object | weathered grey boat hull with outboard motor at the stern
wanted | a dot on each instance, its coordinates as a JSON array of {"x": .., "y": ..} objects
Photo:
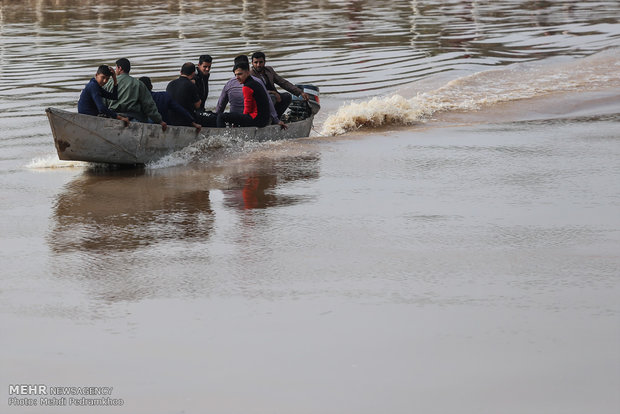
[{"x": 80, "y": 137}]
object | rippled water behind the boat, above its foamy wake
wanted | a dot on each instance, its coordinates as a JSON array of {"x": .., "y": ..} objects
[{"x": 352, "y": 49}]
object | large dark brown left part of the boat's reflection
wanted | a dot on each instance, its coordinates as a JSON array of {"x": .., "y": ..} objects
[{"x": 129, "y": 209}]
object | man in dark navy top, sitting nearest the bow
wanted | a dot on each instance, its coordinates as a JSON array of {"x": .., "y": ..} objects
[{"x": 91, "y": 98}]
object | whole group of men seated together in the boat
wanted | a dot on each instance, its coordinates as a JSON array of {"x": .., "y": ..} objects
[{"x": 251, "y": 95}]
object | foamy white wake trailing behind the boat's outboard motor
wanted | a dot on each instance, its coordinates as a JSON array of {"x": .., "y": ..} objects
[{"x": 483, "y": 89}]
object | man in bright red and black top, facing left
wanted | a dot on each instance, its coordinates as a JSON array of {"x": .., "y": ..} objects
[{"x": 255, "y": 102}]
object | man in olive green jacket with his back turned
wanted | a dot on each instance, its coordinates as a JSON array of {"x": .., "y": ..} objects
[{"x": 134, "y": 99}]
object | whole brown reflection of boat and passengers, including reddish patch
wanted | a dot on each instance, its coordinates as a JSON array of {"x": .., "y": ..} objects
[{"x": 114, "y": 211}]
